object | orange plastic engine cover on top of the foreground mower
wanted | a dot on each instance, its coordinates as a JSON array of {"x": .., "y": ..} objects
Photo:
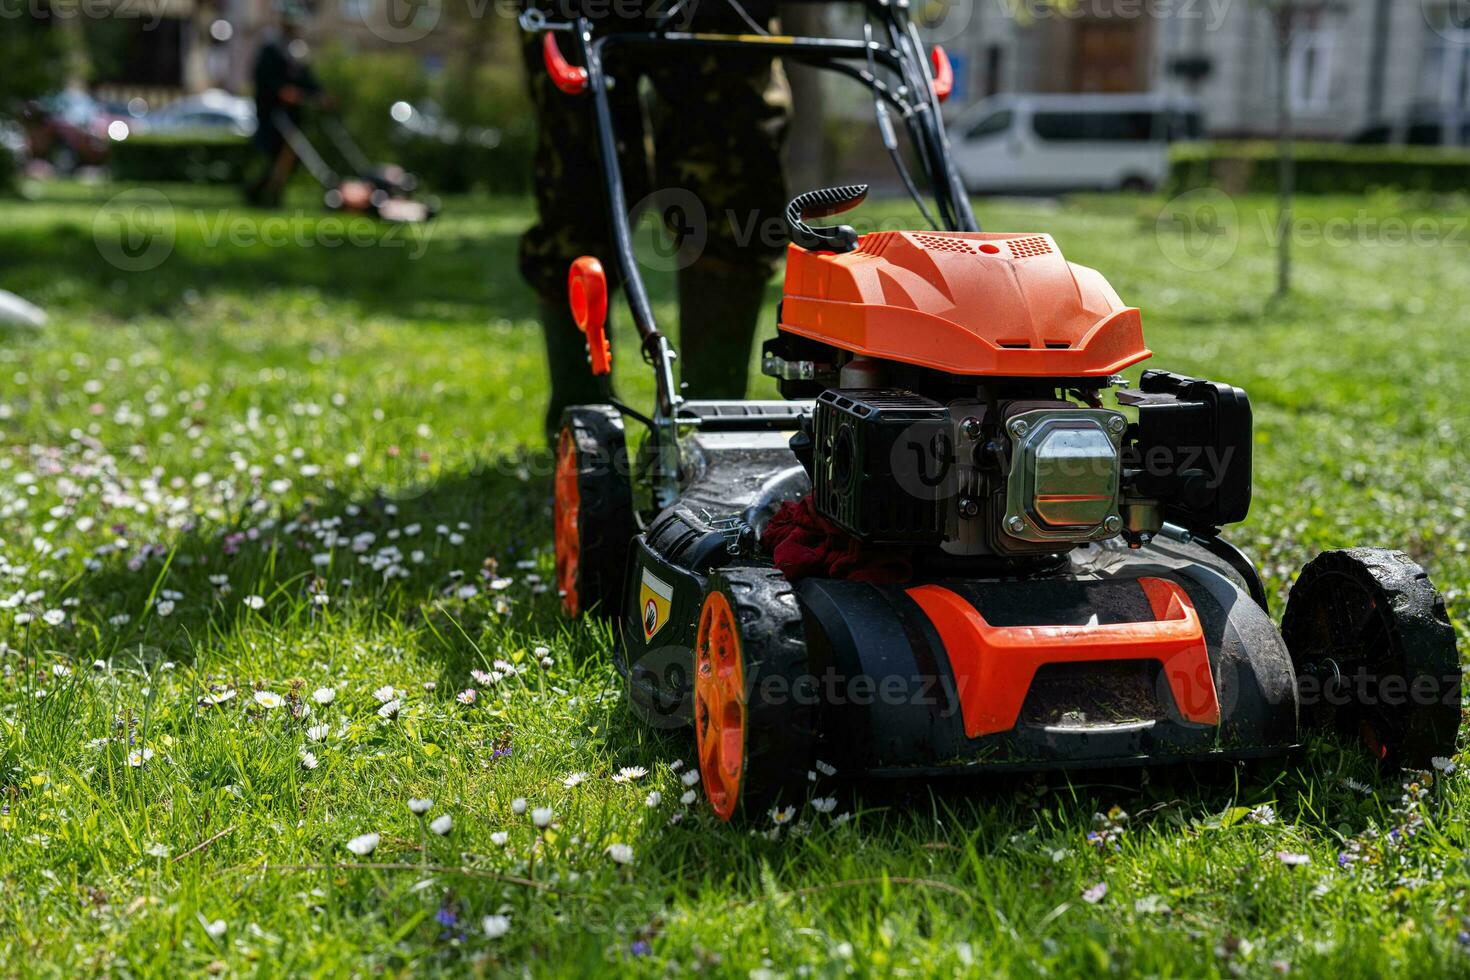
[{"x": 964, "y": 303}]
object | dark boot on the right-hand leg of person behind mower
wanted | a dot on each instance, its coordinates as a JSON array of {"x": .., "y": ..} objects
[{"x": 718, "y": 318}]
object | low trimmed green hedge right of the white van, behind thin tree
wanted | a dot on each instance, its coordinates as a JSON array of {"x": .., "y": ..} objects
[{"x": 1322, "y": 168}]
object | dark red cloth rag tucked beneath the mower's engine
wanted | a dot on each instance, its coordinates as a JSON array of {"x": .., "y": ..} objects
[{"x": 803, "y": 544}]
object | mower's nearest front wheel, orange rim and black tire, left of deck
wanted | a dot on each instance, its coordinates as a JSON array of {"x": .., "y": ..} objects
[{"x": 755, "y": 697}]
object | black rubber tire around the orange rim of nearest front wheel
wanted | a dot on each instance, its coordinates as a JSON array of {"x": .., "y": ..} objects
[{"x": 781, "y": 691}]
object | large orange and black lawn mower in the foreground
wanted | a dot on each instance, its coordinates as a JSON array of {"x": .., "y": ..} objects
[{"x": 962, "y": 541}]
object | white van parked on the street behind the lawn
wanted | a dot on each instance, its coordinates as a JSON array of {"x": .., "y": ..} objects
[{"x": 1046, "y": 145}]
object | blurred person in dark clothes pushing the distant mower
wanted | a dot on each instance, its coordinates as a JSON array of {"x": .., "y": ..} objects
[{"x": 284, "y": 83}]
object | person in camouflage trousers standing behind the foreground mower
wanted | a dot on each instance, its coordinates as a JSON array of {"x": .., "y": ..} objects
[{"x": 715, "y": 129}]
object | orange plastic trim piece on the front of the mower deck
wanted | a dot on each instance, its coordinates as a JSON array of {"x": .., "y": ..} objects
[{"x": 996, "y": 666}]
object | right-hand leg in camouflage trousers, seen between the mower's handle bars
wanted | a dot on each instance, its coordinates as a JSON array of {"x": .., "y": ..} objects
[{"x": 720, "y": 127}]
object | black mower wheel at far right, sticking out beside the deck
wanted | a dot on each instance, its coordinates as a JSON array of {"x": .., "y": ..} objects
[{"x": 1366, "y": 613}]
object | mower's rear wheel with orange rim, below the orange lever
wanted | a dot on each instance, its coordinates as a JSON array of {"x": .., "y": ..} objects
[{"x": 595, "y": 512}]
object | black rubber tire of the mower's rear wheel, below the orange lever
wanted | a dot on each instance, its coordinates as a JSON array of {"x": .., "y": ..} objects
[{"x": 606, "y": 524}]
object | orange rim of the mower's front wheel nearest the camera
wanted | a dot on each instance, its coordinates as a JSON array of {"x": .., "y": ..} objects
[{"x": 720, "y": 705}]
